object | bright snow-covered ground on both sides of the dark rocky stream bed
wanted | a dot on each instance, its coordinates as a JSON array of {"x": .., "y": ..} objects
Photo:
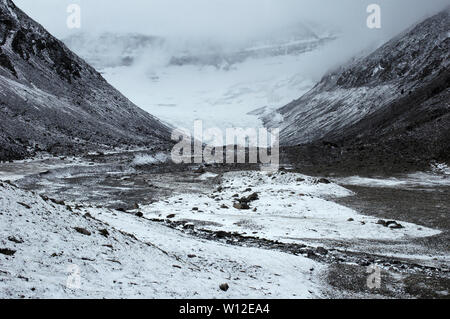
[{"x": 48, "y": 249}]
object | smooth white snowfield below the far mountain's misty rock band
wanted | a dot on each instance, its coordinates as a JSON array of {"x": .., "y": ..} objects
[{"x": 220, "y": 97}]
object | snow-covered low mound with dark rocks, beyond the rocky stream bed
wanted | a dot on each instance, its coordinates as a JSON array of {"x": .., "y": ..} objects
[{"x": 290, "y": 208}]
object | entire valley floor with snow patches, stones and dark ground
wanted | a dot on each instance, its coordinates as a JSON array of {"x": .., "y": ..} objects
[{"x": 109, "y": 225}]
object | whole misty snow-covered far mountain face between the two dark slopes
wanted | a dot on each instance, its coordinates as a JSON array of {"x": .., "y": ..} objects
[{"x": 180, "y": 80}]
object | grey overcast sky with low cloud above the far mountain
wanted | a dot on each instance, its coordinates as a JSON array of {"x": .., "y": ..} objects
[{"x": 224, "y": 18}]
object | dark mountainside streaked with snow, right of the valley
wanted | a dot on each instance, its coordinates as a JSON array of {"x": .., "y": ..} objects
[{"x": 399, "y": 94}]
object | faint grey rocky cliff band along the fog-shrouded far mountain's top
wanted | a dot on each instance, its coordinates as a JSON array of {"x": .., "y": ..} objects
[{"x": 123, "y": 49}]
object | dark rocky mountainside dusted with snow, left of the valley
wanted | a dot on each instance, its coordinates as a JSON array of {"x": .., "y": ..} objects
[{"x": 52, "y": 100}]
